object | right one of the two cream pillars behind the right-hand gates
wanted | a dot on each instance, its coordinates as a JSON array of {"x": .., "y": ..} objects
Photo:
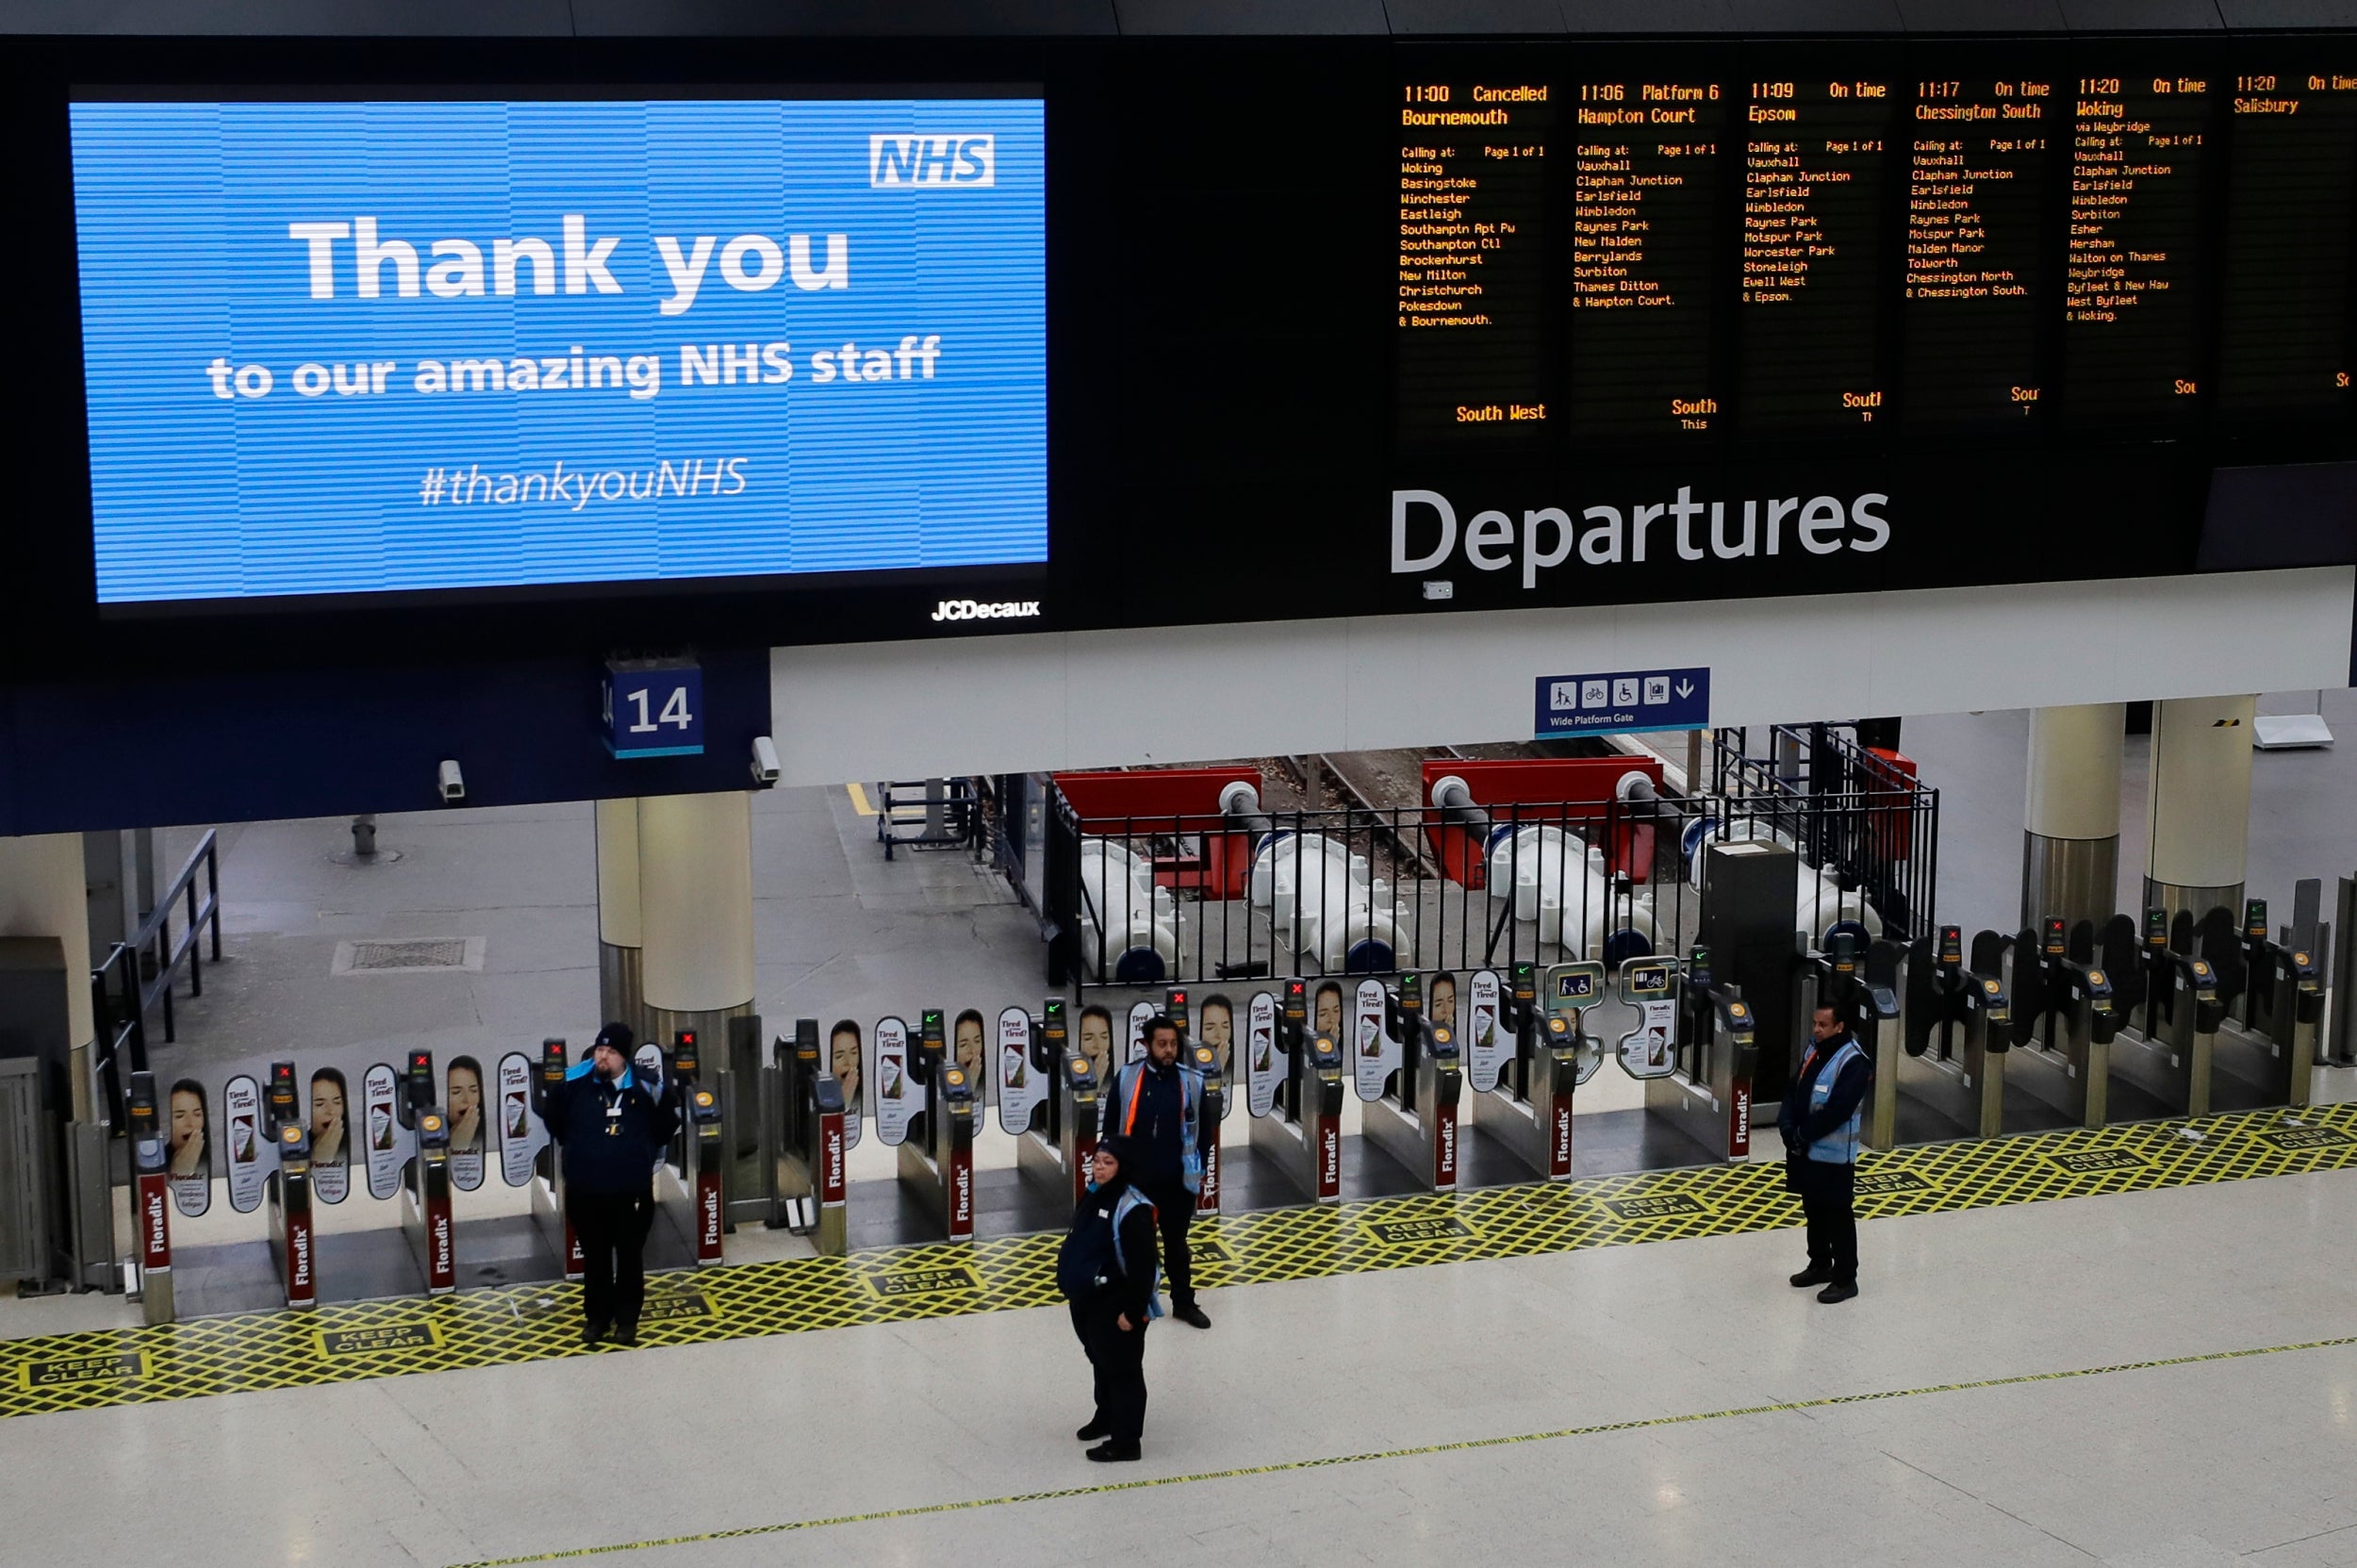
[{"x": 2198, "y": 810}]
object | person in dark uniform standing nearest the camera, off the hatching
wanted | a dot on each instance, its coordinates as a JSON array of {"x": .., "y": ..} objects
[{"x": 1109, "y": 1274}]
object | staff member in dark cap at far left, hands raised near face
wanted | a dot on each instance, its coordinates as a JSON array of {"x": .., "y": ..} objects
[{"x": 612, "y": 1133}]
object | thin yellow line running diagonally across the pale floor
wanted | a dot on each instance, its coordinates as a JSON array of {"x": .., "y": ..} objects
[{"x": 1399, "y": 1454}]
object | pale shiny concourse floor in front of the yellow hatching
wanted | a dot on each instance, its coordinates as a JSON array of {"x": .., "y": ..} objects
[{"x": 2158, "y": 1468}]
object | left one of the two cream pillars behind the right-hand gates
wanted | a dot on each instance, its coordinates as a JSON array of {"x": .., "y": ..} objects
[{"x": 2071, "y": 819}]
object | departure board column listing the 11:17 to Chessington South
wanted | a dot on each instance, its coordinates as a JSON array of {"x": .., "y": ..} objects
[{"x": 1976, "y": 251}]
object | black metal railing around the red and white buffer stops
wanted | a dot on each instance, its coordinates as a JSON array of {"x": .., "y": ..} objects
[{"x": 1196, "y": 900}]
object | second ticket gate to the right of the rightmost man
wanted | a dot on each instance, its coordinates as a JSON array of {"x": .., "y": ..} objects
[{"x": 2066, "y": 1020}]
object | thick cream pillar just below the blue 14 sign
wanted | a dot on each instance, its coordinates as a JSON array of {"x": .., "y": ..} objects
[{"x": 696, "y": 914}]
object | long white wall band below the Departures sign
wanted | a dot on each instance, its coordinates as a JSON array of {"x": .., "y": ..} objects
[{"x": 1187, "y": 694}]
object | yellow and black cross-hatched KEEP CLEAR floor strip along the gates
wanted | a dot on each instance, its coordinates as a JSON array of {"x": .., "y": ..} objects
[{"x": 284, "y": 1350}]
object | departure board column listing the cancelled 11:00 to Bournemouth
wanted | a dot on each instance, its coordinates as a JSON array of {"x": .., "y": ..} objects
[{"x": 1472, "y": 275}]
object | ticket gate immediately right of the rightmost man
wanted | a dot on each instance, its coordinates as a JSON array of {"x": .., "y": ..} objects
[{"x": 1950, "y": 1048}]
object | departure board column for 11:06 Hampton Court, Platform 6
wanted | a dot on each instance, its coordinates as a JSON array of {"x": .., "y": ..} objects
[{"x": 1646, "y": 187}]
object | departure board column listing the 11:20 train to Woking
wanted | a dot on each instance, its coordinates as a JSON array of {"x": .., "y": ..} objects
[{"x": 2132, "y": 312}]
